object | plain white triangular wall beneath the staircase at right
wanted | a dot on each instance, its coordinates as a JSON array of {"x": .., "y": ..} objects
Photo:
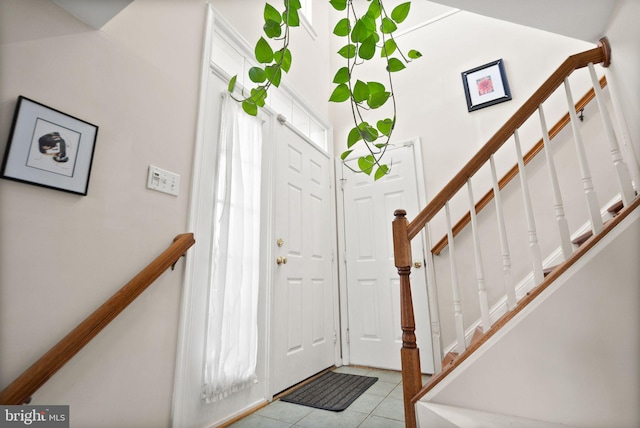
[{"x": 578, "y": 362}]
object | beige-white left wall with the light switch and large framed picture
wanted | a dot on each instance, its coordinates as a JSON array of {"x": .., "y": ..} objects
[{"x": 62, "y": 255}]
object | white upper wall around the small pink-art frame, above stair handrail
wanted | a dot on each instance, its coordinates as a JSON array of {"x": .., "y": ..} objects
[{"x": 430, "y": 94}]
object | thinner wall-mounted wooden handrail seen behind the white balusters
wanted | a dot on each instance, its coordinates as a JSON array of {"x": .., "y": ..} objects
[{"x": 513, "y": 172}]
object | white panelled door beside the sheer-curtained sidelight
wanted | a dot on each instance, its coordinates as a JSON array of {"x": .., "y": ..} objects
[{"x": 303, "y": 335}]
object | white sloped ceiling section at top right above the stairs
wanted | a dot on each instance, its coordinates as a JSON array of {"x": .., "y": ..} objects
[{"x": 581, "y": 19}]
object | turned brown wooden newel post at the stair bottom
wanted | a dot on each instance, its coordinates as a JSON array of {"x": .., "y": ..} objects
[{"x": 409, "y": 354}]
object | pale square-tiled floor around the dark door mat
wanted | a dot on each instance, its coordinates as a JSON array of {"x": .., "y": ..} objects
[{"x": 379, "y": 406}]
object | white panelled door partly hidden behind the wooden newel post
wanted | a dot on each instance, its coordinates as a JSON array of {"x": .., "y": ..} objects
[{"x": 373, "y": 284}]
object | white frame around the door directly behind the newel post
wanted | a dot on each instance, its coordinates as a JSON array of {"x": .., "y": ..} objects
[{"x": 414, "y": 143}]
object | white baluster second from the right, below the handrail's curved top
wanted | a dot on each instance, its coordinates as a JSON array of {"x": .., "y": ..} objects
[{"x": 624, "y": 179}]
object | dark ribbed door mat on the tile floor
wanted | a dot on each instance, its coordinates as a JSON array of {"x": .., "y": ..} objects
[{"x": 331, "y": 391}]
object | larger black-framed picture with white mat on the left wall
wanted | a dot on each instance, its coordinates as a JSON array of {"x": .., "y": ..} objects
[{"x": 49, "y": 148}]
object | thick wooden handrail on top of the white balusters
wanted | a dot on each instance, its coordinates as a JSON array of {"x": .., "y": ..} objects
[{"x": 600, "y": 54}]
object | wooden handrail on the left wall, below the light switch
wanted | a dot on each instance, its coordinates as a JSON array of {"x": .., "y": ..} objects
[{"x": 21, "y": 389}]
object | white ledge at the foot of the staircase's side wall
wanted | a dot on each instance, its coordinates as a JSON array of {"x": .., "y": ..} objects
[{"x": 443, "y": 416}]
